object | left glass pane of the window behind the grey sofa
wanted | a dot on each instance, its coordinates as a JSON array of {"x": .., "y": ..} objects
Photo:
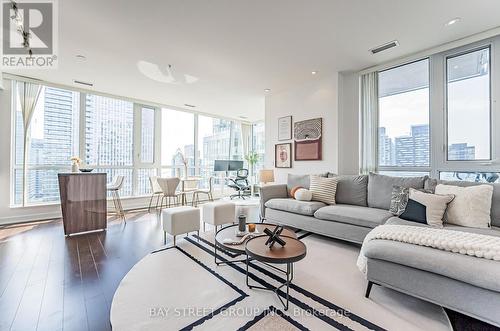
[{"x": 403, "y": 134}]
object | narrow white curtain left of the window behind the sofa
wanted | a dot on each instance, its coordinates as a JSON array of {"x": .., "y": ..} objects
[{"x": 369, "y": 122}]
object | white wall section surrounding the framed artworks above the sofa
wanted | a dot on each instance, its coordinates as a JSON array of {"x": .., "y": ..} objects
[{"x": 317, "y": 98}]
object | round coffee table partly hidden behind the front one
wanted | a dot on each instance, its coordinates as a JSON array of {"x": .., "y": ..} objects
[{"x": 229, "y": 232}]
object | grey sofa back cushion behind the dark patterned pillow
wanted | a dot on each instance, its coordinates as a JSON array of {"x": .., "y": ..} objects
[{"x": 380, "y": 188}]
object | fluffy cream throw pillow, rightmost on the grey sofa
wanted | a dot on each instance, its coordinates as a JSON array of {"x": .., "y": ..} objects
[{"x": 471, "y": 206}]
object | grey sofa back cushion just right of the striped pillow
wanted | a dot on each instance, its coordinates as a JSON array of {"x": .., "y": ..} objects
[{"x": 352, "y": 190}]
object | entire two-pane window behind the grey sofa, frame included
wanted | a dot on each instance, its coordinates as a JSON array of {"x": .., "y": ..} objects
[{"x": 438, "y": 115}]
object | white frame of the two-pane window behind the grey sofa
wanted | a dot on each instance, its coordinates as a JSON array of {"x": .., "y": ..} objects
[{"x": 438, "y": 113}]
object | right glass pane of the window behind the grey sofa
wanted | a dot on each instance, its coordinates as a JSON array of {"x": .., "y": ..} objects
[{"x": 468, "y": 100}]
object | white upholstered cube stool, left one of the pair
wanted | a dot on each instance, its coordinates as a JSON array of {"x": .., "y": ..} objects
[{"x": 179, "y": 220}]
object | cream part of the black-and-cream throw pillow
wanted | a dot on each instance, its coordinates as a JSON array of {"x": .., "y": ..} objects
[{"x": 435, "y": 205}]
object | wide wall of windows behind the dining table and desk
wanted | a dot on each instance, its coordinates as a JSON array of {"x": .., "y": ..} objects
[{"x": 118, "y": 137}]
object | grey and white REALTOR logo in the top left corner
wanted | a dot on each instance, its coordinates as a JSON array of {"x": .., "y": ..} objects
[{"x": 29, "y": 34}]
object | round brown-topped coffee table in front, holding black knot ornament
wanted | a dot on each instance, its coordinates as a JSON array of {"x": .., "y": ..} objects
[{"x": 294, "y": 250}]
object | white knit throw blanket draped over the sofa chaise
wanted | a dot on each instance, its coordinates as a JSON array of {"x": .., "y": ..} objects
[{"x": 472, "y": 244}]
